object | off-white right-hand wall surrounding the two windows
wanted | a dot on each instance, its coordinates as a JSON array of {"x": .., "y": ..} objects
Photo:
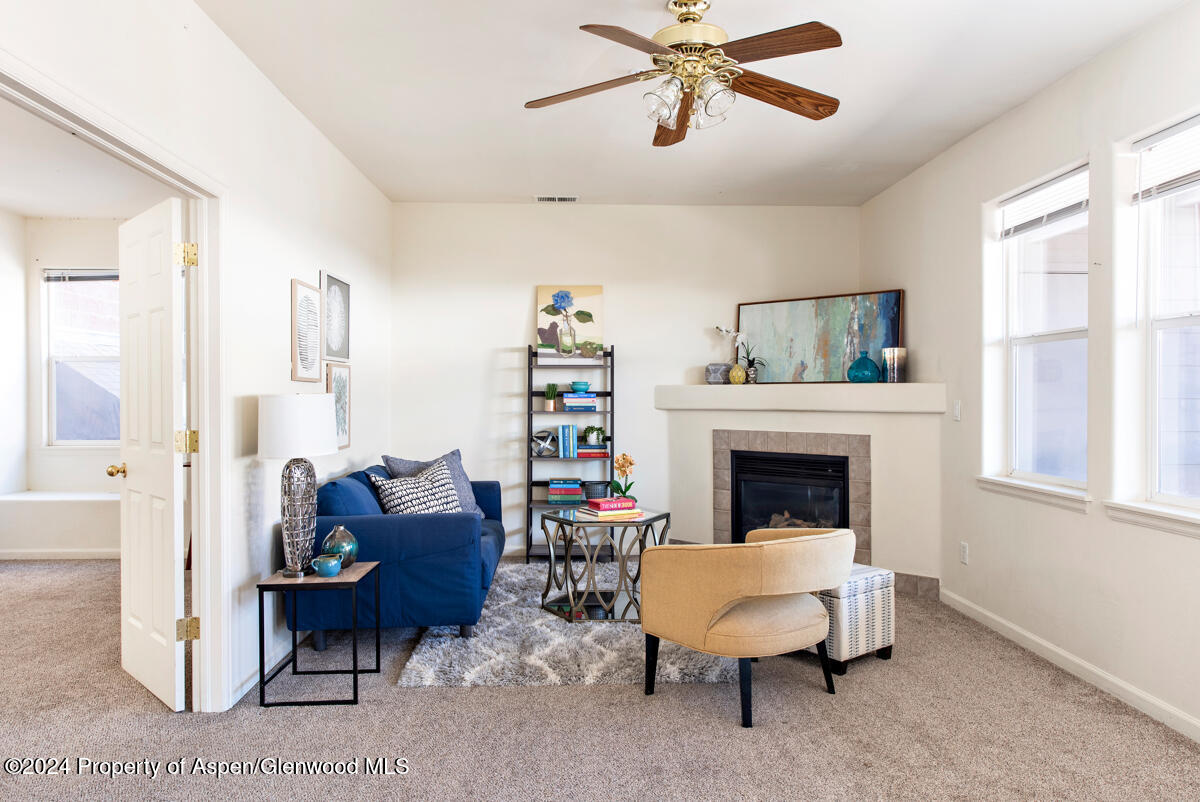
[{"x": 1113, "y": 602}]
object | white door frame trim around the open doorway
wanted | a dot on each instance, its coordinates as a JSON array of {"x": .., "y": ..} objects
[{"x": 212, "y": 585}]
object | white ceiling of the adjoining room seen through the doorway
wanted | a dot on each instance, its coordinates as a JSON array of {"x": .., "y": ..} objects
[{"x": 46, "y": 172}]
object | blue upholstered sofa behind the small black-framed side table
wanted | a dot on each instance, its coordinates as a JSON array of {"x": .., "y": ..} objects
[{"x": 435, "y": 570}]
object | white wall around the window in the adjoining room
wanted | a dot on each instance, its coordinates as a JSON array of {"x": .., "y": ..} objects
[{"x": 62, "y": 244}]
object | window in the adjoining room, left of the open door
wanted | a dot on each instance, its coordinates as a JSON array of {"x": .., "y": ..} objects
[{"x": 83, "y": 357}]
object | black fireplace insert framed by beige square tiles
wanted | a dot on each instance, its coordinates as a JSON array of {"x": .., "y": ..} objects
[{"x": 777, "y": 490}]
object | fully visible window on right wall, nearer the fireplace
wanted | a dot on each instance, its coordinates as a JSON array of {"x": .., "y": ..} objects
[{"x": 1045, "y": 246}]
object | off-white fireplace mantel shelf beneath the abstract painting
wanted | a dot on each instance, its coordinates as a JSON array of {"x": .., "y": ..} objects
[{"x": 911, "y": 398}]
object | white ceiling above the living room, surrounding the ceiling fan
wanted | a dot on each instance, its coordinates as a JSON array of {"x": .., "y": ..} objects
[{"x": 427, "y": 98}]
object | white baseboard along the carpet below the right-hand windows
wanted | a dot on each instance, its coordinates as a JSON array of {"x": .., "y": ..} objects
[{"x": 1132, "y": 696}]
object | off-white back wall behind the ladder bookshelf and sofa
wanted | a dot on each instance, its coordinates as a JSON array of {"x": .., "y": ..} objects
[{"x": 465, "y": 313}]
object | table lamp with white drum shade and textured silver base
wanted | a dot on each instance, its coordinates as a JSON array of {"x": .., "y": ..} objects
[{"x": 295, "y": 428}]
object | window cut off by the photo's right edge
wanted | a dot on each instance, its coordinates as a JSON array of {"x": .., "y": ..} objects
[{"x": 1169, "y": 195}]
